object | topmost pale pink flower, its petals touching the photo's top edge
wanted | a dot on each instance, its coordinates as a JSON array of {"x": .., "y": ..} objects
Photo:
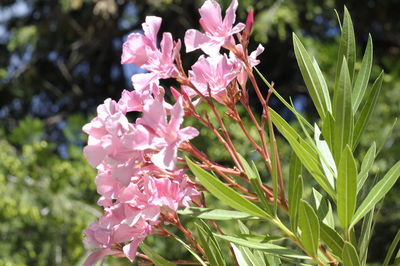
[{"x": 218, "y": 32}]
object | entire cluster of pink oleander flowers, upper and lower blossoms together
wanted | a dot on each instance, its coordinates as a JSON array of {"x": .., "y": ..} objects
[{"x": 138, "y": 178}]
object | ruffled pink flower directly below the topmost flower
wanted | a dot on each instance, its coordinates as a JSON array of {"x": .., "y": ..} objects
[{"x": 214, "y": 74}]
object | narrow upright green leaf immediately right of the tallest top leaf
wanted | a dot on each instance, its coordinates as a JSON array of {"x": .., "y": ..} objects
[{"x": 361, "y": 83}]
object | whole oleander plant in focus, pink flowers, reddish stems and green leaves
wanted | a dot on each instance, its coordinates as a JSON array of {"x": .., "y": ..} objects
[{"x": 252, "y": 209}]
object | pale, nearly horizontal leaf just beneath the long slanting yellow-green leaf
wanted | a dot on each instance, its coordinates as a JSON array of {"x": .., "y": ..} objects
[{"x": 215, "y": 214}]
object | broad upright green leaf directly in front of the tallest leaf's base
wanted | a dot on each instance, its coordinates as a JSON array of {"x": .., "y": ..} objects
[{"x": 343, "y": 113}]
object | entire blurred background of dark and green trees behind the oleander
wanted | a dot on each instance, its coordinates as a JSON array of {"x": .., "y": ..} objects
[{"x": 59, "y": 59}]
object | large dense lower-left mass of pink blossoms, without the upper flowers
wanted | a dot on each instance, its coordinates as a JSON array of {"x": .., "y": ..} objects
[{"x": 137, "y": 176}]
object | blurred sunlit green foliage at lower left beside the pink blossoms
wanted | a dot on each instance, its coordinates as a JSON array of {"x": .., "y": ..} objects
[{"x": 46, "y": 201}]
